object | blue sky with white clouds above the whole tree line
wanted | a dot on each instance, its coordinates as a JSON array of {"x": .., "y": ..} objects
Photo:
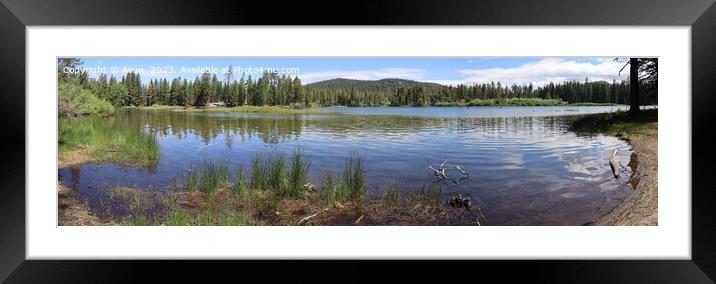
[{"x": 448, "y": 71}]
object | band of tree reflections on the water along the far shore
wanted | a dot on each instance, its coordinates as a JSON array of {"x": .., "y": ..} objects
[{"x": 279, "y": 128}]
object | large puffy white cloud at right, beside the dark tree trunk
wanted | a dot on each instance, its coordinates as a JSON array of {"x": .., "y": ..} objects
[{"x": 544, "y": 71}]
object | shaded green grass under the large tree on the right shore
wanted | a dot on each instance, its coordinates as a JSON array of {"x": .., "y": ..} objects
[{"x": 619, "y": 123}]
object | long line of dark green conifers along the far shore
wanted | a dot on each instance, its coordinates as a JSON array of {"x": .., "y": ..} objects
[{"x": 274, "y": 89}]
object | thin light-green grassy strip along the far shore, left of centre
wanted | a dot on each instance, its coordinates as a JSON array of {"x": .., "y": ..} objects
[{"x": 242, "y": 109}]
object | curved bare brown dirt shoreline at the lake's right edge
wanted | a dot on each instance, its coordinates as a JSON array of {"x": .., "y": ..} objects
[{"x": 641, "y": 208}]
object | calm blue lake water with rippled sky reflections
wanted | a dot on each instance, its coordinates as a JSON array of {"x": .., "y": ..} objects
[{"x": 526, "y": 167}]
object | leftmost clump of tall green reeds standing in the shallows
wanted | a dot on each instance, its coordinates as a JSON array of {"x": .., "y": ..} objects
[{"x": 208, "y": 177}]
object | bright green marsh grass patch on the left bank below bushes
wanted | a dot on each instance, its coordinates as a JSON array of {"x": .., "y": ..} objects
[{"x": 107, "y": 140}]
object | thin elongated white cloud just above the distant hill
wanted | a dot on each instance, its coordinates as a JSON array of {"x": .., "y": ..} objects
[{"x": 377, "y": 74}]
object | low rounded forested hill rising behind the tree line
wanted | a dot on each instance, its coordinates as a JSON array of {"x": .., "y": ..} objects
[{"x": 382, "y": 85}]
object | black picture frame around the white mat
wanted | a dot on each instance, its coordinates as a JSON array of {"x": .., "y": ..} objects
[{"x": 700, "y": 15}]
